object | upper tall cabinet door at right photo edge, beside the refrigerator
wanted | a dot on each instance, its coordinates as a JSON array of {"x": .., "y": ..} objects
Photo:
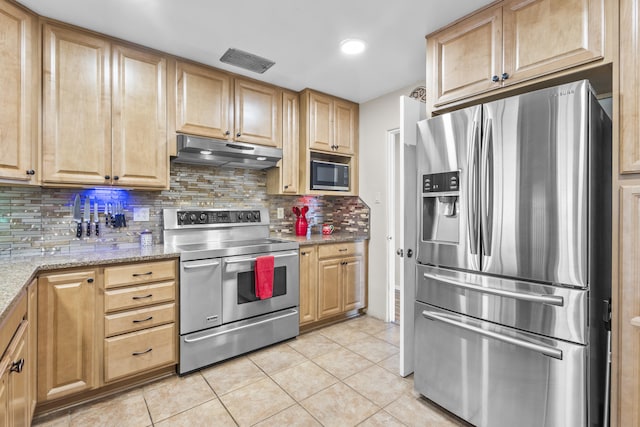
[{"x": 629, "y": 78}]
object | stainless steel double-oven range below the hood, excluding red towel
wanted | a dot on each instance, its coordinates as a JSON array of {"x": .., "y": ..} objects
[{"x": 220, "y": 315}]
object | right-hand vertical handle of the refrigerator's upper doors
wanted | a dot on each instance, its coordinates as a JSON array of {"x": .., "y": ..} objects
[{"x": 486, "y": 189}]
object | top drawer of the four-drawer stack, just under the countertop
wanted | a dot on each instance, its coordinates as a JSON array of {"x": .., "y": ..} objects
[{"x": 139, "y": 273}]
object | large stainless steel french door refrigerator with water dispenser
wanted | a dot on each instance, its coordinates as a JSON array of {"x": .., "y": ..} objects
[{"x": 513, "y": 260}]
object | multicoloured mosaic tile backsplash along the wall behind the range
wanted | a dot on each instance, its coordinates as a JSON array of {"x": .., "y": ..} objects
[{"x": 37, "y": 220}]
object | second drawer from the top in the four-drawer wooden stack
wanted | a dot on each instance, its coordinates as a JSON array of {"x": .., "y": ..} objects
[{"x": 139, "y": 296}]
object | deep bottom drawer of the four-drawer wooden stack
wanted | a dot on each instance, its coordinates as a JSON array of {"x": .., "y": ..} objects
[{"x": 138, "y": 352}]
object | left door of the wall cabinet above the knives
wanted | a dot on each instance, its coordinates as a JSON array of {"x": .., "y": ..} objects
[{"x": 76, "y": 139}]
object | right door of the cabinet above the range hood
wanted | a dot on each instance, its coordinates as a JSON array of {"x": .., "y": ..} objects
[{"x": 258, "y": 114}]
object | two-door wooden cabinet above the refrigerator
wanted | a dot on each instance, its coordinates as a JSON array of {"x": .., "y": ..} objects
[{"x": 515, "y": 41}]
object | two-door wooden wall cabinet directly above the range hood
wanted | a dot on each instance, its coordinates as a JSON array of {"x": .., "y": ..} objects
[{"x": 213, "y": 103}]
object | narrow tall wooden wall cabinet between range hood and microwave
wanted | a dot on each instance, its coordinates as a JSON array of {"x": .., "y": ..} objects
[{"x": 283, "y": 179}]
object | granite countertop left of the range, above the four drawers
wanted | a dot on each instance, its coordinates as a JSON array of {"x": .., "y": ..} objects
[{"x": 18, "y": 271}]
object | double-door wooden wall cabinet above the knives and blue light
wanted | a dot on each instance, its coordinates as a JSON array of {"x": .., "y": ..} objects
[{"x": 104, "y": 117}]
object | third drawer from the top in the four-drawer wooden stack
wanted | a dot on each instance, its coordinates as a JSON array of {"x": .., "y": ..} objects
[{"x": 134, "y": 320}]
